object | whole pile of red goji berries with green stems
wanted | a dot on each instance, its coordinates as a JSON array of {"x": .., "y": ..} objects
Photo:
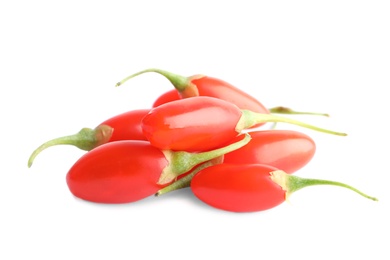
[{"x": 205, "y": 135}]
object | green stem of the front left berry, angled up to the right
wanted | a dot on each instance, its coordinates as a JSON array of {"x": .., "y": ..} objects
[{"x": 182, "y": 162}]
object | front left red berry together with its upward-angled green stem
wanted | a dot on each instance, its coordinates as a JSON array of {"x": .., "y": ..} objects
[{"x": 127, "y": 171}]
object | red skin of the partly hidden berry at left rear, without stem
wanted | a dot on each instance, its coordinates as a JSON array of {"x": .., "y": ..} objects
[{"x": 127, "y": 126}]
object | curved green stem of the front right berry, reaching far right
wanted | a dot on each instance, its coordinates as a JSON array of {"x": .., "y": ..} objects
[{"x": 291, "y": 183}]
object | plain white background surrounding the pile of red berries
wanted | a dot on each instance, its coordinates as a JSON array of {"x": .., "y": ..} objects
[{"x": 59, "y": 65}]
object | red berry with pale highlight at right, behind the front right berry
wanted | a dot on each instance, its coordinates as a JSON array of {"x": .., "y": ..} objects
[{"x": 286, "y": 150}]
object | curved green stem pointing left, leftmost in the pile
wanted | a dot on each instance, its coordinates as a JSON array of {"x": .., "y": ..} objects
[{"x": 86, "y": 139}]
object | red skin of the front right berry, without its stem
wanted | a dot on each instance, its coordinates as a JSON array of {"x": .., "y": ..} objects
[{"x": 238, "y": 187}]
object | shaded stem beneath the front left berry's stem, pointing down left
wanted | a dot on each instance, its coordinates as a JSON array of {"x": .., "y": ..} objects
[{"x": 186, "y": 180}]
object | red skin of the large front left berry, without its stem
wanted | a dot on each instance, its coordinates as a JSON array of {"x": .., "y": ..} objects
[{"x": 117, "y": 172}]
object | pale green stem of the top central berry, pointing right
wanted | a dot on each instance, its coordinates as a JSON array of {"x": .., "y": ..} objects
[{"x": 249, "y": 119}]
